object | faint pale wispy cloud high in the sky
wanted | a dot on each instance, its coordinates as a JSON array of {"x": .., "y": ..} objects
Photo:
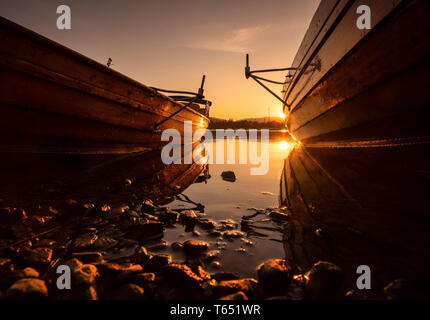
[{"x": 239, "y": 40}]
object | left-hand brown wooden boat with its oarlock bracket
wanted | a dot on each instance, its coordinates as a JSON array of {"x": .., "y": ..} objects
[{"x": 53, "y": 99}]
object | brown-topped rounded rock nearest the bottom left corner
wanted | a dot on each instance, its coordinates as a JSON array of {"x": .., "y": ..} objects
[{"x": 29, "y": 288}]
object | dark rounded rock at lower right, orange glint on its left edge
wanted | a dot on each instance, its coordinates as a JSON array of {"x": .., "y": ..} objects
[{"x": 323, "y": 281}]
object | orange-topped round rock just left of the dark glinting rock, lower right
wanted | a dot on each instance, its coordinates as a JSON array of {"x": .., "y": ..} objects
[{"x": 275, "y": 275}]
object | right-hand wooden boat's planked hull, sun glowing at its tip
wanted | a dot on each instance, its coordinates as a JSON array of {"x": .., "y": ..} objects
[{"x": 362, "y": 85}]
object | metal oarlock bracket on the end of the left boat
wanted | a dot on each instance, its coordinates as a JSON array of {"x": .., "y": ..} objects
[{"x": 188, "y": 97}]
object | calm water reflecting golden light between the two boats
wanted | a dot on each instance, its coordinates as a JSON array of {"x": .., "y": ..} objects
[{"x": 233, "y": 200}]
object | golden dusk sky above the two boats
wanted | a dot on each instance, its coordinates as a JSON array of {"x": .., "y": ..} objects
[{"x": 171, "y": 44}]
